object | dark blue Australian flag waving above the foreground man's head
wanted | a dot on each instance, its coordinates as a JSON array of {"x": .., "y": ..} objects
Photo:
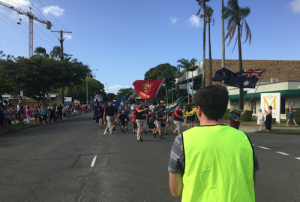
[{"x": 242, "y": 79}]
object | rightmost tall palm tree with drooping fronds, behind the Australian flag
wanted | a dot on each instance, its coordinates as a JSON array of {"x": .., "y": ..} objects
[{"x": 236, "y": 19}]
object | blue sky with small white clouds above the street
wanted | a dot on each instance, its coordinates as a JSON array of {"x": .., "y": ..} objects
[{"x": 124, "y": 39}]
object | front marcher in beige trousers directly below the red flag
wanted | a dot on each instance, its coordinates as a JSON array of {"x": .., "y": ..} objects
[{"x": 140, "y": 111}]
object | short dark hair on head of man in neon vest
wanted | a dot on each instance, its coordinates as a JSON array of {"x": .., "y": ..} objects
[{"x": 213, "y": 101}]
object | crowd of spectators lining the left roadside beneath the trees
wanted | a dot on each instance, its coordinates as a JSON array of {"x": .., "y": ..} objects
[{"x": 39, "y": 113}]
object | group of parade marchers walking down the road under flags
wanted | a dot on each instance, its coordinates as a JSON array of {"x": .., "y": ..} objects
[{"x": 145, "y": 118}]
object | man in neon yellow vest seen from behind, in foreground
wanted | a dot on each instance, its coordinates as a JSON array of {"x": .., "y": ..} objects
[{"x": 212, "y": 162}]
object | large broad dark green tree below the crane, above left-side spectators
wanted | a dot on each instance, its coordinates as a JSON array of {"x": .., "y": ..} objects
[{"x": 38, "y": 75}]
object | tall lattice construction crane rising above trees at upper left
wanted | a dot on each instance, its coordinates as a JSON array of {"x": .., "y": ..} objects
[{"x": 31, "y": 18}]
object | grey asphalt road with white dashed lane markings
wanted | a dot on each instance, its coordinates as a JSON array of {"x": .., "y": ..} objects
[{"x": 74, "y": 161}]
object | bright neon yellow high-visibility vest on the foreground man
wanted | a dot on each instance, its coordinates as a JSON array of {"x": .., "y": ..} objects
[{"x": 219, "y": 165}]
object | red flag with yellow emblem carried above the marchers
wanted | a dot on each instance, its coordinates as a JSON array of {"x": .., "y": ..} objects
[{"x": 147, "y": 89}]
